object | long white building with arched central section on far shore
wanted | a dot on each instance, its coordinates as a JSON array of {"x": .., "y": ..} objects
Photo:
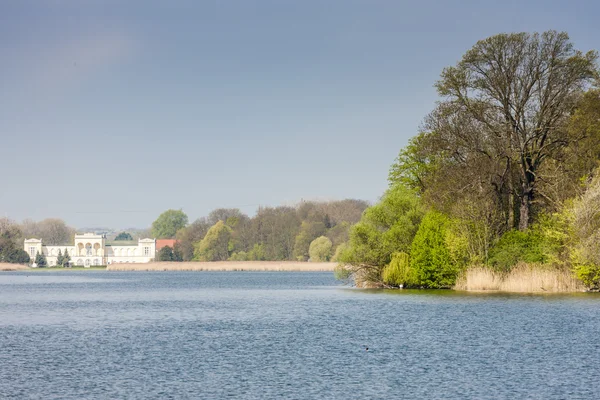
[{"x": 91, "y": 249}]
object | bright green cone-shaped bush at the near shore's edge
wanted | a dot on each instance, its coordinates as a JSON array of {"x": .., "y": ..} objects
[{"x": 430, "y": 257}]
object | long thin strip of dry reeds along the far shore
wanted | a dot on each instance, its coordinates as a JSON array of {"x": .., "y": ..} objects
[{"x": 225, "y": 266}]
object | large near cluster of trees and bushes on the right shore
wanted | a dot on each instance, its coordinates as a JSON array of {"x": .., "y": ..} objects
[{"x": 504, "y": 171}]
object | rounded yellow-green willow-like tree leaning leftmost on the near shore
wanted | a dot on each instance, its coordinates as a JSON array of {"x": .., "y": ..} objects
[{"x": 384, "y": 229}]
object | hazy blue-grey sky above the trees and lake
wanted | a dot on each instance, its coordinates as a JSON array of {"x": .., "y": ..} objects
[{"x": 112, "y": 112}]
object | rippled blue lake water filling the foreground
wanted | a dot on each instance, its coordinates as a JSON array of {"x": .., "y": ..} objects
[{"x": 91, "y": 335}]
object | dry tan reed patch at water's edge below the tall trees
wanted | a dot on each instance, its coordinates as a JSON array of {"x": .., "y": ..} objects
[{"x": 523, "y": 278}]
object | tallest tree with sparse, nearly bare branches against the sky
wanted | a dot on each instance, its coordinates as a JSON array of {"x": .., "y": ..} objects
[{"x": 508, "y": 101}]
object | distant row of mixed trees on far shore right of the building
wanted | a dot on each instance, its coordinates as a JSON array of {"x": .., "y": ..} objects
[{"x": 309, "y": 231}]
